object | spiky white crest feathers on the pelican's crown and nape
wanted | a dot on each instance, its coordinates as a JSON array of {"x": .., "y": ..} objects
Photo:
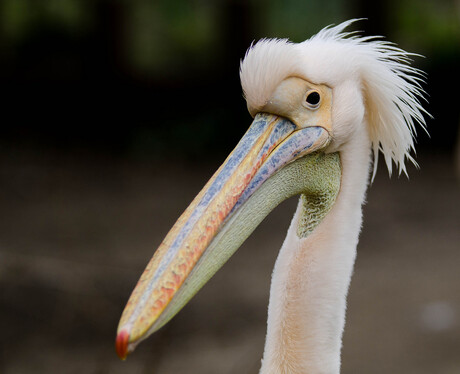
[{"x": 390, "y": 88}]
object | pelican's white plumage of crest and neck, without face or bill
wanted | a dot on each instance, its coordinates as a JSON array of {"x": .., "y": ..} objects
[{"x": 375, "y": 107}]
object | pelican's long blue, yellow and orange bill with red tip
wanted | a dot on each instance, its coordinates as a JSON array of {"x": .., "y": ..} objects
[{"x": 241, "y": 193}]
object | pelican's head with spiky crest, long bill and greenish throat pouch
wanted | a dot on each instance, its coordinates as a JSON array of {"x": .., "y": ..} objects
[{"x": 320, "y": 108}]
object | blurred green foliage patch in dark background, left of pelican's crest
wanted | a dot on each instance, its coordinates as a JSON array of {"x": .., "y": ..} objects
[{"x": 161, "y": 35}]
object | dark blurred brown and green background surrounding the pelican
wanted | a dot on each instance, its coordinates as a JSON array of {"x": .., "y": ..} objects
[{"x": 115, "y": 114}]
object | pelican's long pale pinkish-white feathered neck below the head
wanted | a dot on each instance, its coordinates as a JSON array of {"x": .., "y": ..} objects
[{"x": 311, "y": 278}]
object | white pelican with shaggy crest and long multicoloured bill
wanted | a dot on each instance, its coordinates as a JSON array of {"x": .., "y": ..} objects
[{"x": 323, "y": 111}]
